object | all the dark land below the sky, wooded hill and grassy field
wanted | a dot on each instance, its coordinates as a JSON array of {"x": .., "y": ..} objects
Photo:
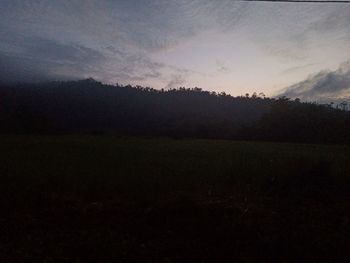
[{"x": 100, "y": 173}]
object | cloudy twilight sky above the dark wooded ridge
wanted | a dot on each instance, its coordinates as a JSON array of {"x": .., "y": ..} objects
[{"x": 295, "y": 49}]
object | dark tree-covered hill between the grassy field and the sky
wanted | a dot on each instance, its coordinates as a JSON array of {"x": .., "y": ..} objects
[{"x": 88, "y": 106}]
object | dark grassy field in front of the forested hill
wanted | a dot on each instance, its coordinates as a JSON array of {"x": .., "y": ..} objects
[{"x": 110, "y": 199}]
